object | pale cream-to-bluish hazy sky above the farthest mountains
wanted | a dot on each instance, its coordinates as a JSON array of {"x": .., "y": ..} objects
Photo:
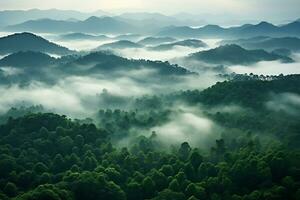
[{"x": 250, "y": 9}]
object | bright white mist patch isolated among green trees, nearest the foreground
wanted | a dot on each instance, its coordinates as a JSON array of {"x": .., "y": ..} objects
[{"x": 190, "y": 125}]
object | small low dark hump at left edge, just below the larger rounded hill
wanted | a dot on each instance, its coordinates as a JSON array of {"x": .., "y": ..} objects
[{"x": 27, "y": 59}]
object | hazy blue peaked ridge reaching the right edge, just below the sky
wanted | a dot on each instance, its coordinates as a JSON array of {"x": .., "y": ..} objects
[{"x": 244, "y": 31}]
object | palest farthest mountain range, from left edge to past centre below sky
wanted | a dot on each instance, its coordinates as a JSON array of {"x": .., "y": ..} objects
[{"x": 148, "y": 20}]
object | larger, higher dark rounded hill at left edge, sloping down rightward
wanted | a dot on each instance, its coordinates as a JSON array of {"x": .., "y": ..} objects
[{"x": 29, "y": 42}]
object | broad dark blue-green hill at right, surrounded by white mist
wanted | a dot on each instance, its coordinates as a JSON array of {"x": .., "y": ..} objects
[{"x": 235, "y": 55}]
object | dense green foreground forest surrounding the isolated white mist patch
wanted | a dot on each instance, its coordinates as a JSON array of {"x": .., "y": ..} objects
[{"x": 256, "y": 155}]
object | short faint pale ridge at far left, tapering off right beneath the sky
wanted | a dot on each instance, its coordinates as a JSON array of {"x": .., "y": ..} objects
[{"x": 10, "y": 17}]
